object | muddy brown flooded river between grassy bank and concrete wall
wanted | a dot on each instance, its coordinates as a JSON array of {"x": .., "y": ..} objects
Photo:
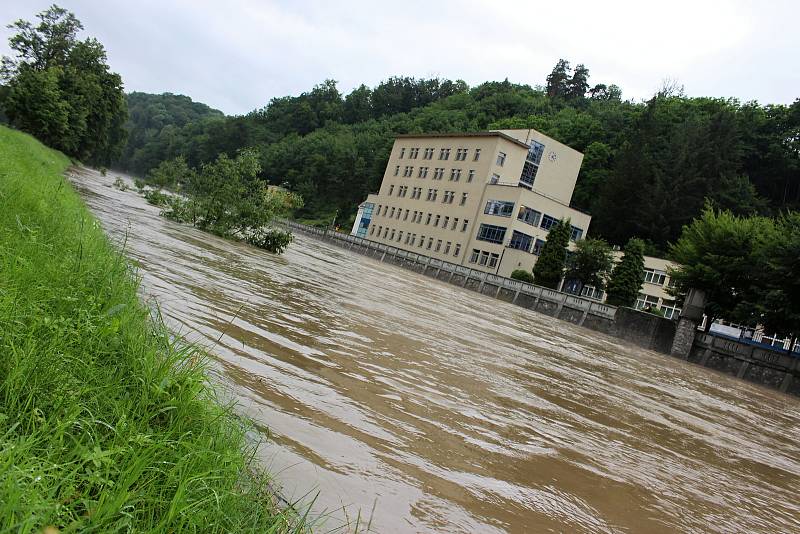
[{"x": 434, "y": 409}]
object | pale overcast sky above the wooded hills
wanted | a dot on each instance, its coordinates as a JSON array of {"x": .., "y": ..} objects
[{"x": 237, "y": 54}]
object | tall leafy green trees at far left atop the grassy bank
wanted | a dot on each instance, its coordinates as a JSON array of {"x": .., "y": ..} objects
[{"x": 61, "y": 89}]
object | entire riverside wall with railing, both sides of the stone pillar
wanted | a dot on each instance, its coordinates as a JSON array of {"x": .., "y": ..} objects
[{"x": 756, "y": 364}]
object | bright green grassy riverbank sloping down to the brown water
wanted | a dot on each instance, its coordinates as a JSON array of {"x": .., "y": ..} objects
[{"x": 105, "y": 424}]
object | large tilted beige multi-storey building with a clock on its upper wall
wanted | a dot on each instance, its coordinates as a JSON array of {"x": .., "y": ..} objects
[{"x": 485, "y": 200}]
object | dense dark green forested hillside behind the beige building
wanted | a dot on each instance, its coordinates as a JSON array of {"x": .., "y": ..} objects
[{"x": 649, "y": 166}]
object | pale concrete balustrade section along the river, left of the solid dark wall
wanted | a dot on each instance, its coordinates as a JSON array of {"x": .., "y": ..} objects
[{"x": 555, "y": 303}]
